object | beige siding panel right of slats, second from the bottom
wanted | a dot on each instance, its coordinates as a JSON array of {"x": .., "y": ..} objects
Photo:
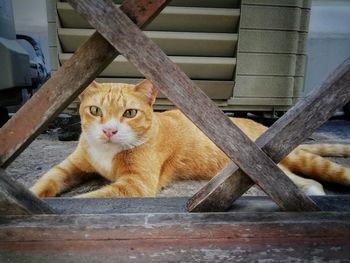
[{"x": 266, "y": 64}]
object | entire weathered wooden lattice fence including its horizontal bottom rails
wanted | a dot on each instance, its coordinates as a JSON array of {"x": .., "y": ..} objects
[{"x": 223, "y": 236}]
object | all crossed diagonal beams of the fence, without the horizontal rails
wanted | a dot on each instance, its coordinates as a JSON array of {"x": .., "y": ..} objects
[{"x": 118, "y": 32}]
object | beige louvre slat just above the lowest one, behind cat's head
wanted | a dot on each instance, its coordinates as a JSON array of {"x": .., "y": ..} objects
[{"x": 208, "y": 68}]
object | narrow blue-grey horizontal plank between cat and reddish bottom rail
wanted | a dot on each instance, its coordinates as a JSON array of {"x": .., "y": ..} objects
[{"x": 178, "y": 205}]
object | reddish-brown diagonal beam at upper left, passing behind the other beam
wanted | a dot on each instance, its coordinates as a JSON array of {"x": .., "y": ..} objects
[{"x": 65, "y": 85}]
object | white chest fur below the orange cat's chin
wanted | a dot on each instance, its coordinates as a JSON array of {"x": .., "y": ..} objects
[{"x": 101, "y": 157}]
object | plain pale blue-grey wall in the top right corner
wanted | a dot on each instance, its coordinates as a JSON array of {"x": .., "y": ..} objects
[{"x": 328, "y": 39}]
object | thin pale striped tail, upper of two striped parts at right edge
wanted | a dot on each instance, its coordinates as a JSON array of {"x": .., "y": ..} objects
[{"x": 327, "y": 149}]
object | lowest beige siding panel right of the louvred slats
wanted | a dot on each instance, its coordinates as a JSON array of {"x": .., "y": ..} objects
[{"x": 263, "y": 87}]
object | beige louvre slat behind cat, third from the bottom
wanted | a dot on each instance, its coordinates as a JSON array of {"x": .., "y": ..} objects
[{"x": 172, "y": 43}]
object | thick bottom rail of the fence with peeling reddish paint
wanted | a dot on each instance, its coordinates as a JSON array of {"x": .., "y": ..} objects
[{"x": 218, "y": 237}]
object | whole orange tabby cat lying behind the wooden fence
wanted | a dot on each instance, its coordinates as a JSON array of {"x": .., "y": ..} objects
[{"x": 140, "y": 151}]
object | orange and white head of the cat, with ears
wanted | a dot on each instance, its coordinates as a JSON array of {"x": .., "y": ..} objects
[{"x": 117, "y": 113}]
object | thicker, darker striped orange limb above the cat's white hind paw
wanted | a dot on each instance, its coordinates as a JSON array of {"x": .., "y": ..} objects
[{"x": 316, "y": 167}]
